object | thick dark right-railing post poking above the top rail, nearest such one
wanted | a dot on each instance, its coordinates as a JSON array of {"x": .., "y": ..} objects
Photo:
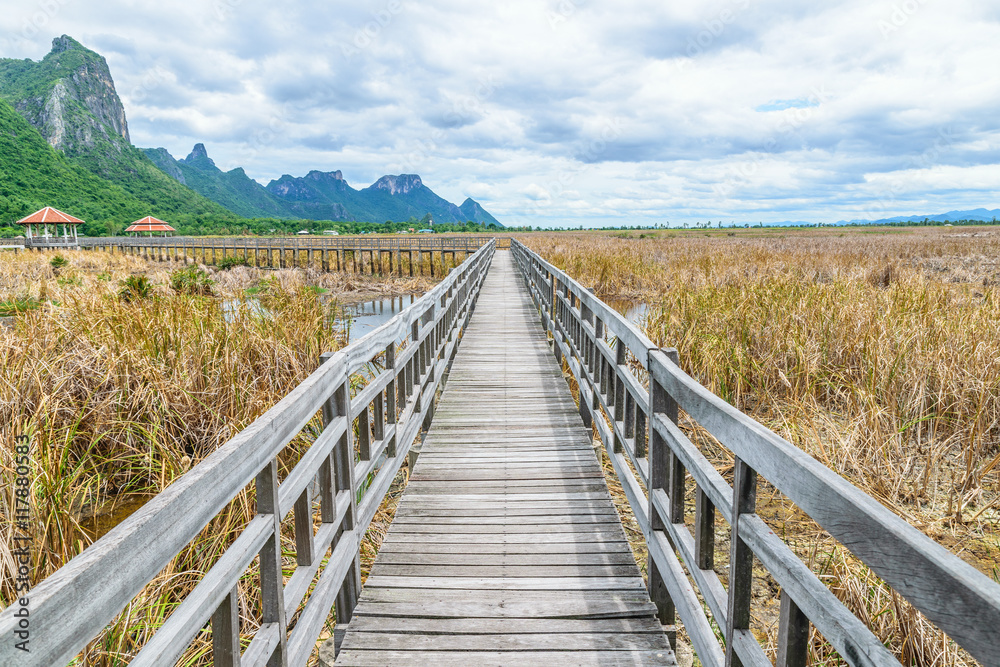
[{"x": 661, "y": 465}]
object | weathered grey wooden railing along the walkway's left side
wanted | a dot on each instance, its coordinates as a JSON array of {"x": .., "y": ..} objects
[{"x": 360, "y": 442}]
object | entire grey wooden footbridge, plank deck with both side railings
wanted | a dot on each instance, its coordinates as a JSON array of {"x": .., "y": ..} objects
[{"x": 505, "y": 548}]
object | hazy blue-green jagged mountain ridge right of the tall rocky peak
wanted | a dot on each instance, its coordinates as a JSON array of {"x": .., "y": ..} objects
[{"x": 317, "y": 195}]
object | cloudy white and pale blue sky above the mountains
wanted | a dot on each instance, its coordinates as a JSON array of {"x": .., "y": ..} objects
[{"x": 577, "y": 112}]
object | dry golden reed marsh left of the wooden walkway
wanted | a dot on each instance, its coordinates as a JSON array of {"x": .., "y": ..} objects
[{"x": 125, "y": 373}]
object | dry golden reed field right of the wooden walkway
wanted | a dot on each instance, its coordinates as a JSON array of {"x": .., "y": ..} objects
[{"x": 876, "y": 351}]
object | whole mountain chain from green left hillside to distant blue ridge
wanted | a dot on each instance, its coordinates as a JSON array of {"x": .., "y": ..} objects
[{"x": 65, "y": 113}]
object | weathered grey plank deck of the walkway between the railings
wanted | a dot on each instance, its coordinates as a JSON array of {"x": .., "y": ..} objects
[{"x": 506, "y": 548}]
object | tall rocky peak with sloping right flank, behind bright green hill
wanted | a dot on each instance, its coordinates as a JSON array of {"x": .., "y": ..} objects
[{"x": 69, "y": 97}]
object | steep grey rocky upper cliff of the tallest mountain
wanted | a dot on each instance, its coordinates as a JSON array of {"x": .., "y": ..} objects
[{"x": 69, "y": 97}]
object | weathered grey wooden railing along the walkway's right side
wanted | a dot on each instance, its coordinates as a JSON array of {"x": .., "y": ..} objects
[{"x": 613, "y": 363}]
